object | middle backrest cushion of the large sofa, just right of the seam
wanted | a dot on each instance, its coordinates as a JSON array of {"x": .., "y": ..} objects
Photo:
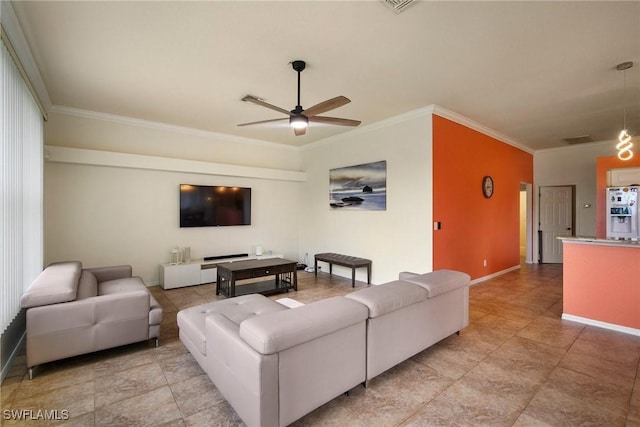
[{"x": 392, "y": 296}]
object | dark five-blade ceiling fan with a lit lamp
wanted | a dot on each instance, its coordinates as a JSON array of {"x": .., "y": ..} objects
[{"x": 299, "y": 118}]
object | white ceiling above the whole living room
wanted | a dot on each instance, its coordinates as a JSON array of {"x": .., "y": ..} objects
[{"x": 536, "y": 72}]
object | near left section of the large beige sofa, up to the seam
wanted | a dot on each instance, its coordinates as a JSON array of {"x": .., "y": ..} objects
[{"x": 274, "y": 364}]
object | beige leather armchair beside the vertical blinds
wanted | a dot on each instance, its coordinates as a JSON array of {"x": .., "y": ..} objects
[{"x": 72, "y": 311}]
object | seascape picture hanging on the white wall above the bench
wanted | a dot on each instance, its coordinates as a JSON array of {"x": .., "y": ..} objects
[{"x": 360, "y": 187}]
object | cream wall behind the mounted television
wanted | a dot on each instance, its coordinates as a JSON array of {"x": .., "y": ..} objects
[{"x": 104, "y": 214}]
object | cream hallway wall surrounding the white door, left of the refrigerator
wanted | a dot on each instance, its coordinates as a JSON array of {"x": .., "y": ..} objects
[{"x": 572, "y": 165}]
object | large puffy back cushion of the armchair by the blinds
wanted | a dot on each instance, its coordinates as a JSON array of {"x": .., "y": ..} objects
[{"x": 57, "y": 283}]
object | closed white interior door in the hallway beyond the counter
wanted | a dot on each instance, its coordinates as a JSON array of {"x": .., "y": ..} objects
[{"x": 556, "y": 219}]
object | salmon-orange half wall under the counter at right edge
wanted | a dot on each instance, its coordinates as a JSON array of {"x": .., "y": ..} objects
[{"x": 601, "y": 283}]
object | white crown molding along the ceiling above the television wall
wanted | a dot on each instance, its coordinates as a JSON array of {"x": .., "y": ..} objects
[{"x": 130, "y": 121}]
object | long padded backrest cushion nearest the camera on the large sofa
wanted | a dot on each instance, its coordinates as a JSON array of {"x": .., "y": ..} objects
[{"x": 274, "y": 332}]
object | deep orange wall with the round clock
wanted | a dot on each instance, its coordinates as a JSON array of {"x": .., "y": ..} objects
[{"x": 475, "y": 228}]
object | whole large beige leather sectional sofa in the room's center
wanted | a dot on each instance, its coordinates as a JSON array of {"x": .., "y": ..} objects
[{"x": 275, "y": 364}]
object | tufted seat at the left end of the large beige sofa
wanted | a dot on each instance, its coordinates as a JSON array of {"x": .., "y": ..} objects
[{"x": 191, "y": 320}]
